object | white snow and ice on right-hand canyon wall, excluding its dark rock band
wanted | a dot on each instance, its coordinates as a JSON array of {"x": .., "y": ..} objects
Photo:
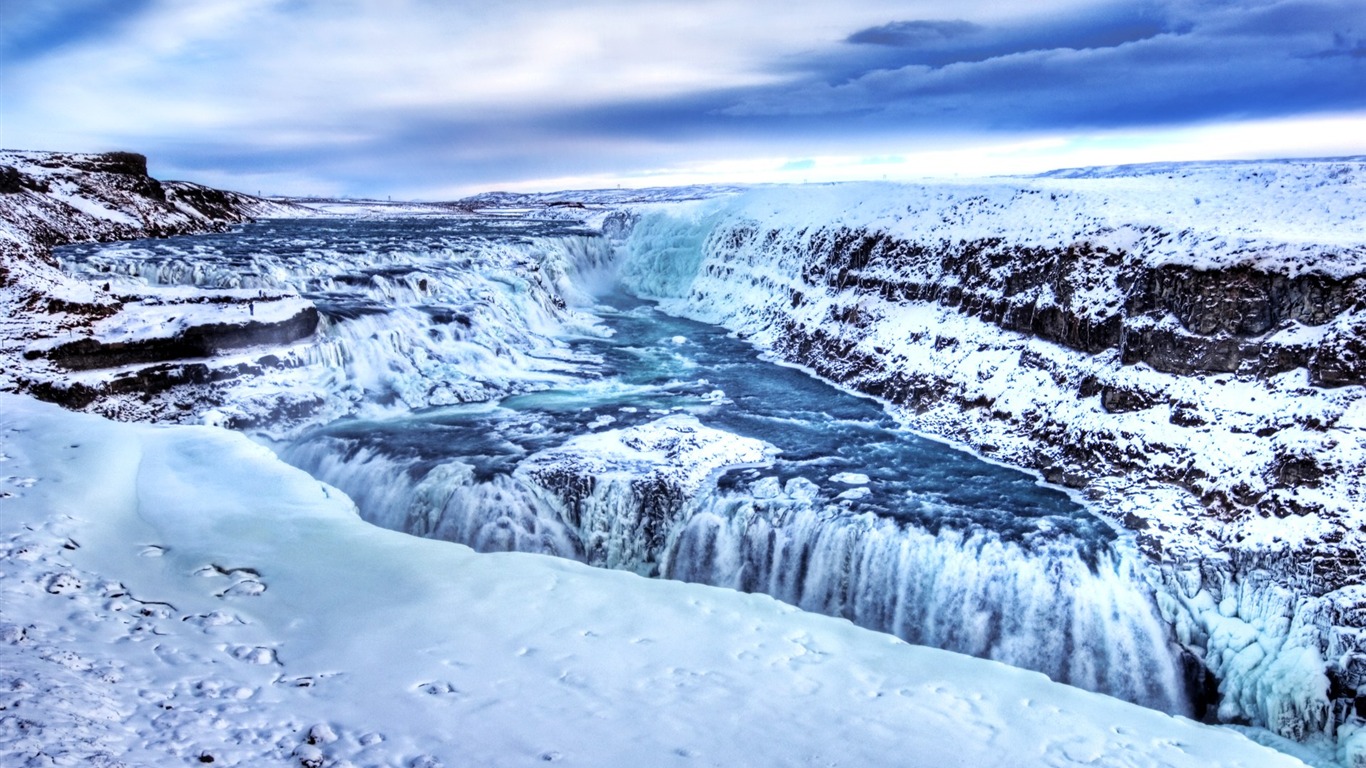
[{"x": 747, "y": 262}]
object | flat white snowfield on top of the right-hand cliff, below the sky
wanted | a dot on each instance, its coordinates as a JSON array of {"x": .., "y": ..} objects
[{"x": 1204, "y": 217}]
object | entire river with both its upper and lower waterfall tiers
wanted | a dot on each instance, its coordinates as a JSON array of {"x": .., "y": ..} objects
[{"x": 439, "y": 314}]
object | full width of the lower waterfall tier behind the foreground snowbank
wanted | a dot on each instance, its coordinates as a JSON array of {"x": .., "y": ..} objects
[{"x": 1047, "y": 605}]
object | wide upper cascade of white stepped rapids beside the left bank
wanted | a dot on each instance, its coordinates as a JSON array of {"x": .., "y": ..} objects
[{"x": 413, "y": 314}]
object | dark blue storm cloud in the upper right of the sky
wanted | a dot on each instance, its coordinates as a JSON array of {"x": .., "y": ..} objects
[{"x": 1126, "y": 66}]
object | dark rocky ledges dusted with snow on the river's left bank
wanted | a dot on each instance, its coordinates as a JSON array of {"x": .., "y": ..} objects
[{"x": 88, "y": 344}]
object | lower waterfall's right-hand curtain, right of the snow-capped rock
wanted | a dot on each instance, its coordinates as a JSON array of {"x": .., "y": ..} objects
[{"x": 1046, "y": 607}]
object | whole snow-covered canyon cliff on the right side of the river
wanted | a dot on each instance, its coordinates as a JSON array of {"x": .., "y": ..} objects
[{"x": 1185, "y": 345}]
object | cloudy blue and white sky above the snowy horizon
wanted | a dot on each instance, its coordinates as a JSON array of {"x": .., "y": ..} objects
[{"x": 435, "y": 100}]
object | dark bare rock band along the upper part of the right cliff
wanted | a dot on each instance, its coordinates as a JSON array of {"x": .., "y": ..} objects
[{"x": 1175, "y": 319}]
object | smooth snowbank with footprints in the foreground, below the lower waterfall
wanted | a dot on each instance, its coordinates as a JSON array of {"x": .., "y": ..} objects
[{"x": 177, "y": 594}]
